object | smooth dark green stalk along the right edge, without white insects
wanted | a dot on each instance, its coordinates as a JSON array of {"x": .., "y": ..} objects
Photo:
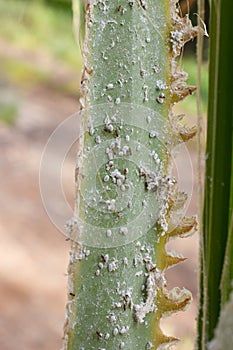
[{"x": 216, "y": 279}]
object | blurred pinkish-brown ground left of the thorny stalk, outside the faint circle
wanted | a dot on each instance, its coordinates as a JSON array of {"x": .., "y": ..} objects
[{"x": 34, "y": 255}]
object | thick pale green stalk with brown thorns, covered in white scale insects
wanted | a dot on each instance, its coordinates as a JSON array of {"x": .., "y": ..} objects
[{"x": 117, "y": 291}]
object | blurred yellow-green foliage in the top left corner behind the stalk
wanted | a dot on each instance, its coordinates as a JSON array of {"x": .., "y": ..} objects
[{"x": 41, "y": 26}]
